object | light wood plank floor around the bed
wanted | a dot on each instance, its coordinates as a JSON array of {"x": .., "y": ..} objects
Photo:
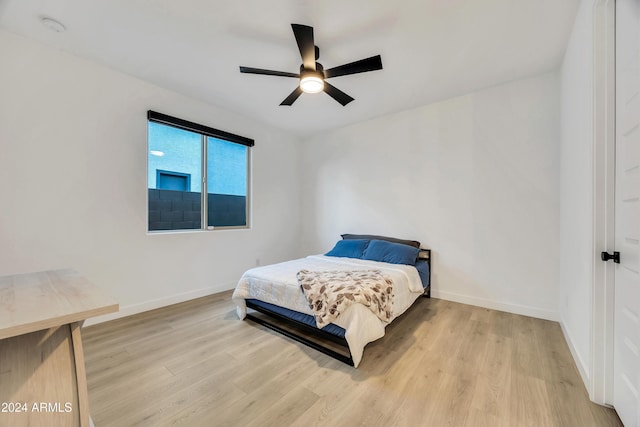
[{"x": 441, "y": 364}]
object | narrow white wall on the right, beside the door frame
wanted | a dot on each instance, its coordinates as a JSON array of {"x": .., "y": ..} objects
[{"x": 576, "y": 189}]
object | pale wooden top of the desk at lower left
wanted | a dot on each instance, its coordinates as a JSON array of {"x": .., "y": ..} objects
[{"x": 35, "y": 301}]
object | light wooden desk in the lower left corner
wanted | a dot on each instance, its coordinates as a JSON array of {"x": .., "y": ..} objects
[{"x": 42, "y": 372}]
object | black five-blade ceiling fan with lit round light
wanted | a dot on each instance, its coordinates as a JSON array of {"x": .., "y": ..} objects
[{"x": 312, "y": 75}]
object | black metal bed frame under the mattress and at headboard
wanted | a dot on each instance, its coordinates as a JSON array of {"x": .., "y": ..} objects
[{"x": 307, "y": 330}]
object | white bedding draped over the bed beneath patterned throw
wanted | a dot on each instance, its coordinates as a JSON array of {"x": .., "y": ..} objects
[{"x": 277, "y": 284}]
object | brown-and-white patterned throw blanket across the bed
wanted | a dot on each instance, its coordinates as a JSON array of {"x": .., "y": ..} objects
[{"x": 330, "y": 292}]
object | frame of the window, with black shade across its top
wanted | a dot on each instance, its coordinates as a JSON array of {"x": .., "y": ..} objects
[{"x": 204, "y": 132}]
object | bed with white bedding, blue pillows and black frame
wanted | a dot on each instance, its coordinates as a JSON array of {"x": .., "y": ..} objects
[{"x": 272, "y": 295}]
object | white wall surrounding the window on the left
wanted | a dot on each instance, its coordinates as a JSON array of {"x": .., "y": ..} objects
[{"x": 73, "y": 153}]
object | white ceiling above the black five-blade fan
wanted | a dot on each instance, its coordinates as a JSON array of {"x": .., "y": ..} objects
[{"x": 431, "y": 49}]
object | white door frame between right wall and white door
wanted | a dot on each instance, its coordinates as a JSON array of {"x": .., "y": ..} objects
[{"x": 600, "y": 382}]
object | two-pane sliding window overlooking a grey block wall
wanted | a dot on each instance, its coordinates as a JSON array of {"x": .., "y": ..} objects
[{"x": 195, "y": 172}]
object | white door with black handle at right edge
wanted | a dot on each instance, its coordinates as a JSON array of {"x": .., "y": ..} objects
[{"x": 627, "y": 283}]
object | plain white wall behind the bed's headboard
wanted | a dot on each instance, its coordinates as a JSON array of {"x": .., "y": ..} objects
[{"x": 475, "y": 178}]
